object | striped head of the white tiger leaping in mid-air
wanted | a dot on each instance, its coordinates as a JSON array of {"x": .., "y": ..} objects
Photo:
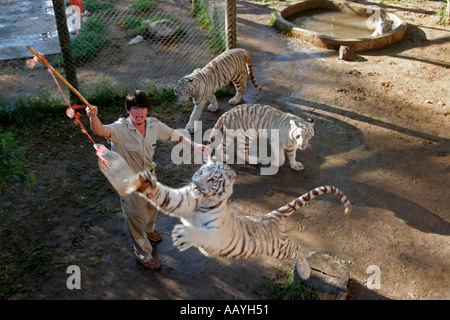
[{"x": 213, "y": 179}]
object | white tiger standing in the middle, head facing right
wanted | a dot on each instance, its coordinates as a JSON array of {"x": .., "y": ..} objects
[{"x": 247, "y": 122}]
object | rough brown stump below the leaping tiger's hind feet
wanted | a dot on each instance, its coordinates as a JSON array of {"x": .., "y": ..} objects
[{"x": 328, "y": 276}]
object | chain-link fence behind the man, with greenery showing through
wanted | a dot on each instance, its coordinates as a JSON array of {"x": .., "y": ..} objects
[{"x": 129, "y": 41}]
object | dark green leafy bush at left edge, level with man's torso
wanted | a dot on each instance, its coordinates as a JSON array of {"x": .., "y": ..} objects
[{"x": 12, "y": 159}]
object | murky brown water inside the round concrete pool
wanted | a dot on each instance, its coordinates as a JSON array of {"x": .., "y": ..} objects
[{"x": 332, "y": 23}]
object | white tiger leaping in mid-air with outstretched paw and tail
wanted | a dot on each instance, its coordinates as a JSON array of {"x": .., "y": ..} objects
[{"x": 207, "y": 224}]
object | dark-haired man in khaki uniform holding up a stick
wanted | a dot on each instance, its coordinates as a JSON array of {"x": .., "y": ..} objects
[{"x": 134, "y": 138}]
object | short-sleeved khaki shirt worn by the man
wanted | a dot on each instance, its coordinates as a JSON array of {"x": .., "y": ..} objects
[{"x": 137, "y": 150}]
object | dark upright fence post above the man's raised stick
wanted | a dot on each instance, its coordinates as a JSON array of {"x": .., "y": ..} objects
[{"x": 66, "y": 46}]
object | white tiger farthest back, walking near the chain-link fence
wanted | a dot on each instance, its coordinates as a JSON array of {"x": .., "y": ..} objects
[{"x": 202, "y": 84}]
